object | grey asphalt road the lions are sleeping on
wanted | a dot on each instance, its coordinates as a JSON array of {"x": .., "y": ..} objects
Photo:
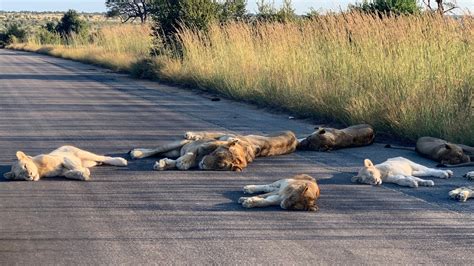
[{"x": 137, "y": 216}]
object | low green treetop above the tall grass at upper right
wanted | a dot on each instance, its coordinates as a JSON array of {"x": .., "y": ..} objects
[{"x": 396, "y": 7}]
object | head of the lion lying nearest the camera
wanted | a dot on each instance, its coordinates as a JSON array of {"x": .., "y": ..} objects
[{"x": 300, "y": 195}]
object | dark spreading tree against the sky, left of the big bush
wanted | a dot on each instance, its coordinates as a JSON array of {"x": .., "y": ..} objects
[{"x": 129, "y": 9}]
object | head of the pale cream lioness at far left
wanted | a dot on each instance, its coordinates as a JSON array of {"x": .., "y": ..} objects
[{"x": 23, "y": 169}]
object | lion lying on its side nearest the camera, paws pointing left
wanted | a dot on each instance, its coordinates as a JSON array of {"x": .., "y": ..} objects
[{"x": 297, "y": 193}]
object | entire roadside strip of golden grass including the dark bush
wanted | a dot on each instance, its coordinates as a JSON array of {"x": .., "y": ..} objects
[{"x": 408, "y": 74}]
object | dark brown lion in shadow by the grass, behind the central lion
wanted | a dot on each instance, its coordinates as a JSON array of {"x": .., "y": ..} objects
[{"x": 325, "y": 139}]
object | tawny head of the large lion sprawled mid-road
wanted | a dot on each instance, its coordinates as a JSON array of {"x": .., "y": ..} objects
[{"x": 229, "y": 157}]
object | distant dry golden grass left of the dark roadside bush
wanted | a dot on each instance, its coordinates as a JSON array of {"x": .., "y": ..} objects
[{"x": 117, "y": 47}]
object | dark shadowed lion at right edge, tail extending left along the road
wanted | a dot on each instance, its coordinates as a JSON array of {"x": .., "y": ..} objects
[{"x": 447, "y": 154}]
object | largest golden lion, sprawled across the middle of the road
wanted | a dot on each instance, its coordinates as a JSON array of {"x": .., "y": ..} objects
[{"x": 218, "y": 150}]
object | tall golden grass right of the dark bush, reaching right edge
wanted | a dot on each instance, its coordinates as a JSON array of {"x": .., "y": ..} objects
[{"x": 412, "y": 76}]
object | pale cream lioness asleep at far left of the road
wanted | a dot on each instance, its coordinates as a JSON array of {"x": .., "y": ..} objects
[{"x": 67, "y": 161}]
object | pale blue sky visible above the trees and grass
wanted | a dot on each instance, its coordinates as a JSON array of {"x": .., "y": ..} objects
[{"x": 301, "y": 6}]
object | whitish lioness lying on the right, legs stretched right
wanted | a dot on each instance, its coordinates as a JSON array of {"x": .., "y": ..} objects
[{"x": 400, "y": 171}]
